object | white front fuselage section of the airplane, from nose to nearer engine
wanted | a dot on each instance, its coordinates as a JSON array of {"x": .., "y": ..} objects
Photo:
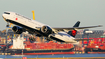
[{"x": 23, "y": 20}]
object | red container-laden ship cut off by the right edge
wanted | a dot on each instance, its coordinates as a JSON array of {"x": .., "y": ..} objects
[{"x": 96, "y": 46}]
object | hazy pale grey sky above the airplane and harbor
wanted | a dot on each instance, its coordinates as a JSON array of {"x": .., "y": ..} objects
[{"x": 58, "y": 13}]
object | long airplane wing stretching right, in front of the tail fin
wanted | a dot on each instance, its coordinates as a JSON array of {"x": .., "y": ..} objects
[{"x": 75, "y": 28}]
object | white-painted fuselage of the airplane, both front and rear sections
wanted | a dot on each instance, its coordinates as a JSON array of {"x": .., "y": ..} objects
[{"x": 22, "y": 21}]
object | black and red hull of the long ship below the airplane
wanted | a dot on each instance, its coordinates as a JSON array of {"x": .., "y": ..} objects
[{"x": 39, "y": 52}]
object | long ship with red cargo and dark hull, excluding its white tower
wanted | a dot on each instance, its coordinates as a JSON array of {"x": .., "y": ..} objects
[{"x": 42, "y": 48}]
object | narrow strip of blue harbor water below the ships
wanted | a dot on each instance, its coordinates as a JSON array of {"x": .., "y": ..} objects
[{"x": 53, "y": 56}]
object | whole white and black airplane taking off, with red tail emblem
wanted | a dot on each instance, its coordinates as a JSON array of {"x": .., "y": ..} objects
[{"x": 23, "y": 23}]
